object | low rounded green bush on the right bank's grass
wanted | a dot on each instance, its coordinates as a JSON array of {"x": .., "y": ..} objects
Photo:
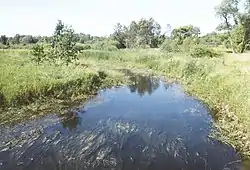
[{"x": 201, "y": 51}]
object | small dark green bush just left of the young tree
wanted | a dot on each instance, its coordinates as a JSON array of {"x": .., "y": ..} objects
[{"x": 38, "y": 54}]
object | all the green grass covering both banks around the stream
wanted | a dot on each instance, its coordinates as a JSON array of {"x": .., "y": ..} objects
[{"x": 222, "y": 83}]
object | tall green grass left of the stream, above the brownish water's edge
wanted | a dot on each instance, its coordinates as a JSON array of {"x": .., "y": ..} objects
[{"x": 23, "y": 82}]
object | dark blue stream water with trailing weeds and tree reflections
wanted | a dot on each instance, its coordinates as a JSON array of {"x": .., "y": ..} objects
[{"x": 125, "y": 130}]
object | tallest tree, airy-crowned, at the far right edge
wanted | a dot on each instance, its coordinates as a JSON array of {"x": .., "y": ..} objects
[{"x": 235, "y": 23}]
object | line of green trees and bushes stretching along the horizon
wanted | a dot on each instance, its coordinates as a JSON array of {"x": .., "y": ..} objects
[{"x": 233, "y": 33}]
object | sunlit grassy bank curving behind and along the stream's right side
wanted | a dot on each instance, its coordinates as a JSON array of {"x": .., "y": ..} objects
[{"x": 222, "y": 83}]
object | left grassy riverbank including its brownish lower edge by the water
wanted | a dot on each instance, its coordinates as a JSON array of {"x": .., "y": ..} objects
[{"x": 28, "y": 90}]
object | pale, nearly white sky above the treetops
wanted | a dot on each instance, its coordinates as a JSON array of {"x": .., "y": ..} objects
[{"x": 98, "y": 17}]
